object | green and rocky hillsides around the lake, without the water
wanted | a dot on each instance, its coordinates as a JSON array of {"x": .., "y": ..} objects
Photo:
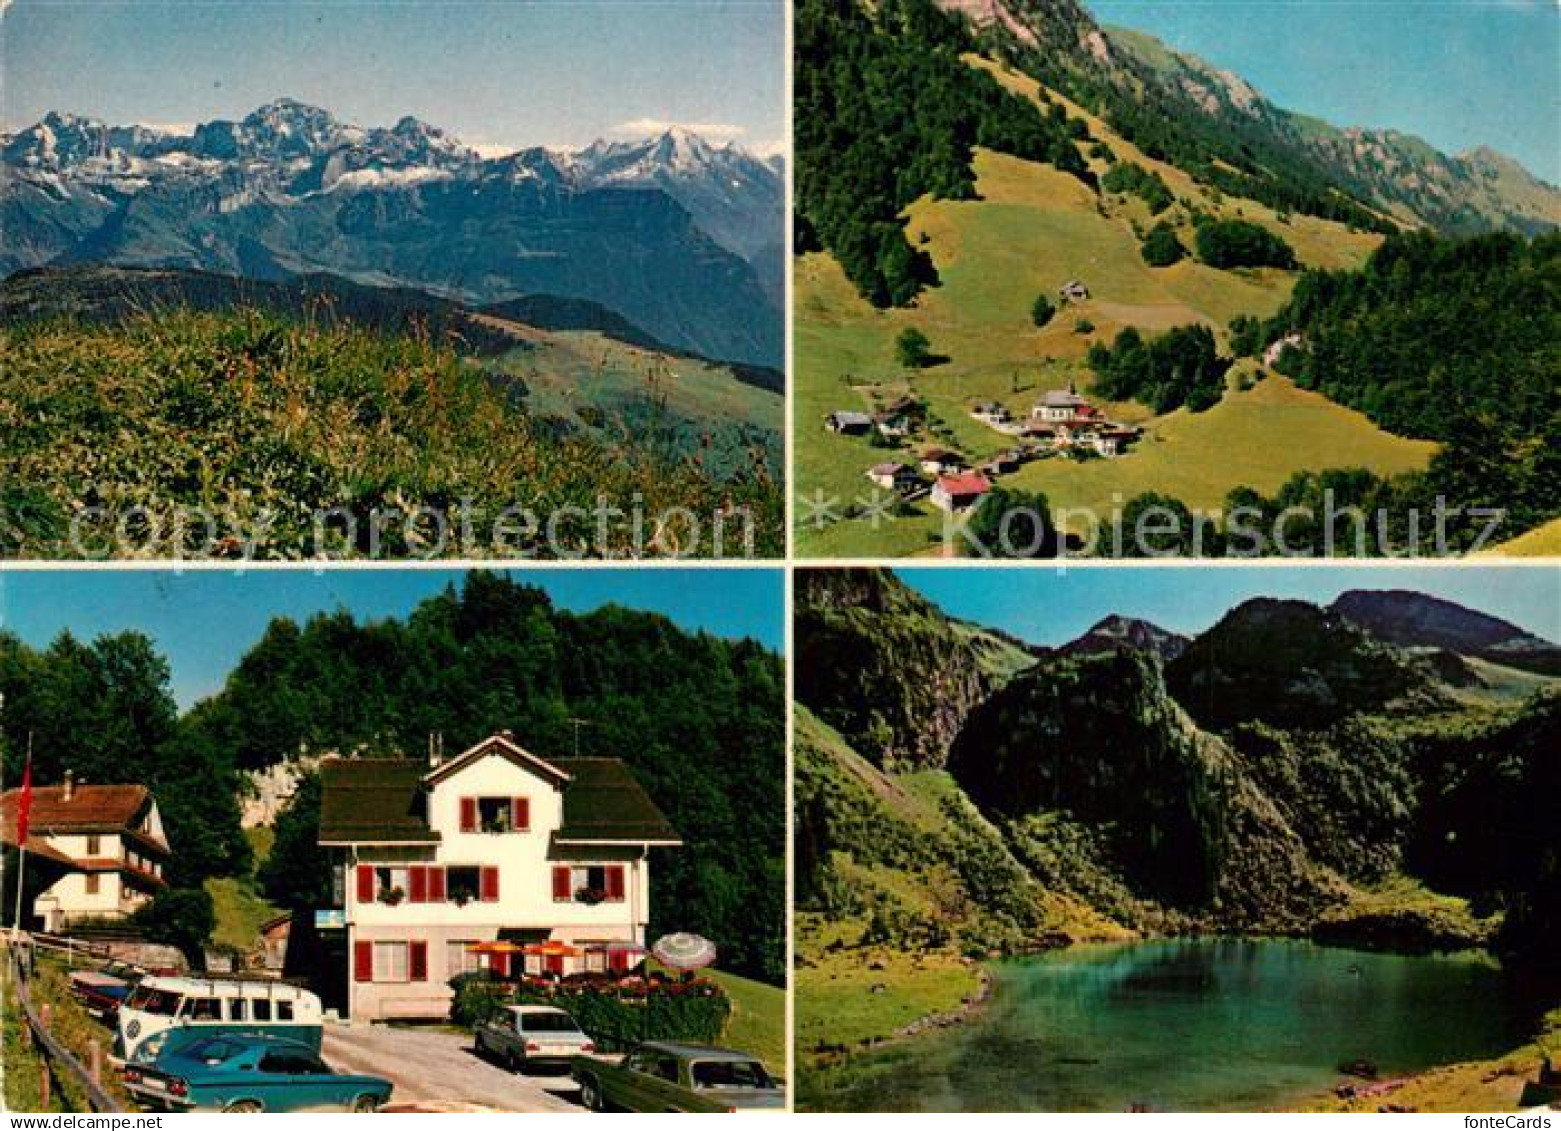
[{"x": 1083, "y": 798}]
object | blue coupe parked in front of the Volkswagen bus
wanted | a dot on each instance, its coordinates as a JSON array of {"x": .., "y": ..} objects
[{"x": 249, "y": 1074}]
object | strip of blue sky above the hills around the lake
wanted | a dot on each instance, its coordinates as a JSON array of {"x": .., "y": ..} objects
[{"x": 1056, "y": 606}]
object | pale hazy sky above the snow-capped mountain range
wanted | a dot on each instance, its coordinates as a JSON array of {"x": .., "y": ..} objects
[{"x": 496, "y": 73}]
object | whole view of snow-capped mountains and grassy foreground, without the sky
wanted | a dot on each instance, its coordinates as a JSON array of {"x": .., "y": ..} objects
[{"x": 288, "y": 316}]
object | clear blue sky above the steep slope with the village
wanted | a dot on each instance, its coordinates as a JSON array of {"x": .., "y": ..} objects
[{"x": 1456, "y": 73}]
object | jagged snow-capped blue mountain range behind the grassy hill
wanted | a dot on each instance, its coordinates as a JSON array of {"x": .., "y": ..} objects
[{"x": 291, "y": 190}]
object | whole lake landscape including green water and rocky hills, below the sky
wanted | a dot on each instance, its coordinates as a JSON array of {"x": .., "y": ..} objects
[{"x": 1182, "y": 831}]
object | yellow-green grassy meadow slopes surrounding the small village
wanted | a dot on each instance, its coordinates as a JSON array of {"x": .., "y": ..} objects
[{"x": 1031, "y": 230}]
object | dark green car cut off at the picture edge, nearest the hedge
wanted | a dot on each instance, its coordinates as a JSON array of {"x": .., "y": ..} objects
[{"x": 666, "y": 1076}]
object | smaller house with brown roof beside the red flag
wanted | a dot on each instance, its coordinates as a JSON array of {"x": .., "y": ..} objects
[{"x": 93, "y": 851}]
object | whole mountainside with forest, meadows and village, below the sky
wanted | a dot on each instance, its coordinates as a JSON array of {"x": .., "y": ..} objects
[{"x": 1003, "y": 202}]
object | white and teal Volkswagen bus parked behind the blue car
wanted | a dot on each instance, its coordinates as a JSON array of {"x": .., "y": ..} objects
[{"x": 215, "y": 1007}]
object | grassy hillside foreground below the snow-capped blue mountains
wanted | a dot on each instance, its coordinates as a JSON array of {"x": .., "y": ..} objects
[{"x": 266, "y": 422}]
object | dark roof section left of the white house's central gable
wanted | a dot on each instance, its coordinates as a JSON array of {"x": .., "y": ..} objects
[{"x": 374, "y": 801}]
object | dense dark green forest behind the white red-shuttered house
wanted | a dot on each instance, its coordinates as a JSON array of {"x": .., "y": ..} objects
[{"x": 699, "y": 718}]
